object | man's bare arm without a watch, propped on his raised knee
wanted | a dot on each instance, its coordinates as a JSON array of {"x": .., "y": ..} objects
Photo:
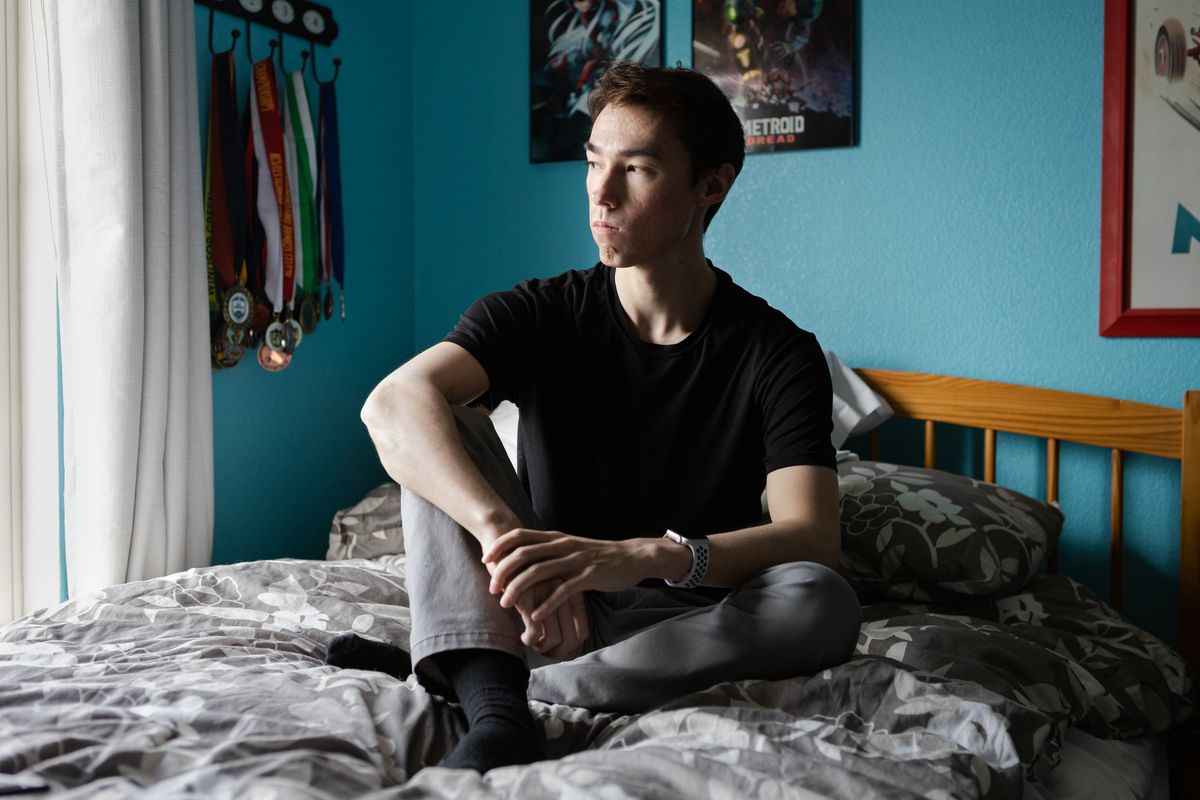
[{"x": 412, "y": 425}]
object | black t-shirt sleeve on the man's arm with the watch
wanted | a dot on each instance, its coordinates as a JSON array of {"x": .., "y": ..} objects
[{"x": 796, "y": 396}]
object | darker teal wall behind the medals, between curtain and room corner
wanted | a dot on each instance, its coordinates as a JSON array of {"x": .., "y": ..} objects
[{"x": 290, "y": 449}]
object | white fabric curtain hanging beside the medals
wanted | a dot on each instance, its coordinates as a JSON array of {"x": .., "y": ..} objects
[{"x": 123, "y": 157}]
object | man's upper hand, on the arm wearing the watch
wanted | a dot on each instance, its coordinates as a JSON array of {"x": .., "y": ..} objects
[{"x": 525, "y": 562}]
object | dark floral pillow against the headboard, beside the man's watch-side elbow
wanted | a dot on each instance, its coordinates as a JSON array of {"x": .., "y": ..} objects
[{"x": 922, "y": 534}]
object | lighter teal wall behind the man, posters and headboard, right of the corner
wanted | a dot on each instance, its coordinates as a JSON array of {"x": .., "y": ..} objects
[{"x": 959, "y": 237}]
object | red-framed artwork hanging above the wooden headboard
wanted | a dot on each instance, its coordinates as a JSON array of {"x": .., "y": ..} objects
[{"x": 1150, "y": 215}]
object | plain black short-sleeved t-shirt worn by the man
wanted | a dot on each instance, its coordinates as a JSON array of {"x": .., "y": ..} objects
[{"x": 622, "y": 438}]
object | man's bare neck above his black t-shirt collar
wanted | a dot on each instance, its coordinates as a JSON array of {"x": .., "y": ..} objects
[{"x": 668, "y": 302}]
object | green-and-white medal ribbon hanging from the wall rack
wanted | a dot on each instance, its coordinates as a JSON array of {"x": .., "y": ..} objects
[{"x": 301, "y": 149}]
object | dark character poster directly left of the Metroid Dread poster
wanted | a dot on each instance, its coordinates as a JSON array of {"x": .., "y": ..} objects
[{"x": 571, "y": 45}]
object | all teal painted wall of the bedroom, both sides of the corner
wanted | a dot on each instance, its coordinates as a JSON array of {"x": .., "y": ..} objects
[{"x": 959, "y": 237}]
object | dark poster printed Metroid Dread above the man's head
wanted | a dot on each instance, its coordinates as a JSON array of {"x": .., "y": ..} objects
[{"x": 787, "y": 65}]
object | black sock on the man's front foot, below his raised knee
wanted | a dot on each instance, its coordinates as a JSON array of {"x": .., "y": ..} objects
[{"x": 494, "y": 689}]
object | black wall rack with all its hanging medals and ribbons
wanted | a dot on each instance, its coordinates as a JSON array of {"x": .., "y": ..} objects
[{"x": 244, "y": 315}]
